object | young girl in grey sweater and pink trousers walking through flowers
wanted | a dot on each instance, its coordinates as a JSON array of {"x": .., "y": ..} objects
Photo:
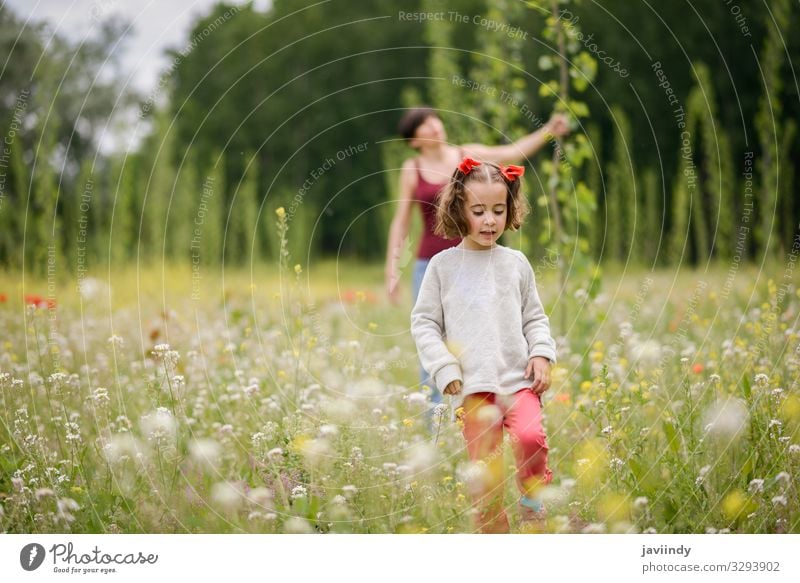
[{"x": 482, "y": 333}]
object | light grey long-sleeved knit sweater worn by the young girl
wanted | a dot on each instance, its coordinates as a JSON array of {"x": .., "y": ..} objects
[{"x": 479, "y": 319}]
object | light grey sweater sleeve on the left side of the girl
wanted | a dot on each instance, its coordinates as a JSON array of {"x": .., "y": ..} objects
[{"x": 427, "y": 328}]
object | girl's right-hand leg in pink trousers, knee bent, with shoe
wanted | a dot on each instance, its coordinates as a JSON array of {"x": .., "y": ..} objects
[{"x": 523, "y": 420}]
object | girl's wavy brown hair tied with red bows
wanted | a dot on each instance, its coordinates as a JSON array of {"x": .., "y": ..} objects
[{"x": 451, "y": 220}]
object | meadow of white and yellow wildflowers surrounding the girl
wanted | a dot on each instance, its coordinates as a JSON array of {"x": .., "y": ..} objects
[{"x": 288, "y": 402}]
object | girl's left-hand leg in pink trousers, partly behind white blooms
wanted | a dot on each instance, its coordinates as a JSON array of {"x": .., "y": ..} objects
[{"x": 483, "y": 431}]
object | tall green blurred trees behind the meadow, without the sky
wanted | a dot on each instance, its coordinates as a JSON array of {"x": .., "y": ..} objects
[{"x": 238, "y": 137}]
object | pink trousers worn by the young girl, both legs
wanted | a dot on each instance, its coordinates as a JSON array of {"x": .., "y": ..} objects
[{"x": 485, "y": 415}]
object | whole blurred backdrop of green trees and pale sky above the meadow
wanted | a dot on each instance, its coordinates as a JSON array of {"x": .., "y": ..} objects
[{"x": 115, "y": 114}]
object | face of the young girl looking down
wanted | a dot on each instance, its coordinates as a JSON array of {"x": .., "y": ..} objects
[{"x": 486, "y": 213}]
